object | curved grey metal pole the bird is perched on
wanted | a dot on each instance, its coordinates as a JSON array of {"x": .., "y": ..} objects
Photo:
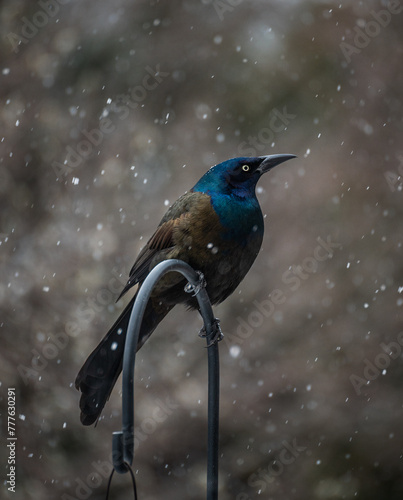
[{"x": 123, "y": 442}]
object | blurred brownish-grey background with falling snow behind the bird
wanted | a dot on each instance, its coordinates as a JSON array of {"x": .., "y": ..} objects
[{"x": 111, "y": 110}]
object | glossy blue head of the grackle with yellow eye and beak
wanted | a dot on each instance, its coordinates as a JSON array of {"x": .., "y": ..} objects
[{"x": 239, "y": 175}]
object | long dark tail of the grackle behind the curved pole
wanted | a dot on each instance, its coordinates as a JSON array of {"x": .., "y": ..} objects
[{"x": 99, "y": 373}]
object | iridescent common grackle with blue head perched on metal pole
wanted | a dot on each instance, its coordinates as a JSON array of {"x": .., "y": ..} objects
[{"x": 217, "y": 228}]
